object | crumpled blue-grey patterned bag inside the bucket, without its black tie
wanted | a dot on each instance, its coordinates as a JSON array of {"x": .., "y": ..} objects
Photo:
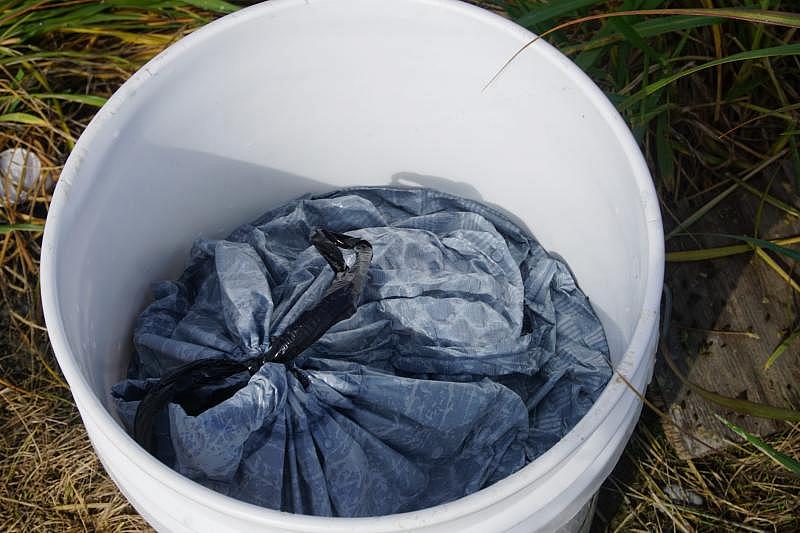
[{"x": 472, "y": 352}]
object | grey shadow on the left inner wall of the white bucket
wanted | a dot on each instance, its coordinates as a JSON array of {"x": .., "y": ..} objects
[{"x": 189, "y": 195}]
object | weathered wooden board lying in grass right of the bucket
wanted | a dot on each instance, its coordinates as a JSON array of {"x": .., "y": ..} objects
[{"x": 733, "y": 294}]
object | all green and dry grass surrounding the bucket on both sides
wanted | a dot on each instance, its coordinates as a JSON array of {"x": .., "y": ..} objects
[{"x": 712, "y": 96}]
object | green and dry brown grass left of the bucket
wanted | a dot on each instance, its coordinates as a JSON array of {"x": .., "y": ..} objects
[{"x": 50, "y": 478}]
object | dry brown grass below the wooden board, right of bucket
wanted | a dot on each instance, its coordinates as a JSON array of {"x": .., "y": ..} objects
[{"x": 740, "y": 491}]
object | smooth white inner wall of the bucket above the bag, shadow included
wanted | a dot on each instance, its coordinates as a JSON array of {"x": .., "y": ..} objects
[{"x": 277, "y": 107}]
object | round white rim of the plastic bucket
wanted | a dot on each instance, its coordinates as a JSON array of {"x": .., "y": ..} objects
[{"x": 616, "y": 392}]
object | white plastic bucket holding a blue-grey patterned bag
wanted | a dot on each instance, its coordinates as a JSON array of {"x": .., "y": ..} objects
[{"x": 296, "y": 96}]
